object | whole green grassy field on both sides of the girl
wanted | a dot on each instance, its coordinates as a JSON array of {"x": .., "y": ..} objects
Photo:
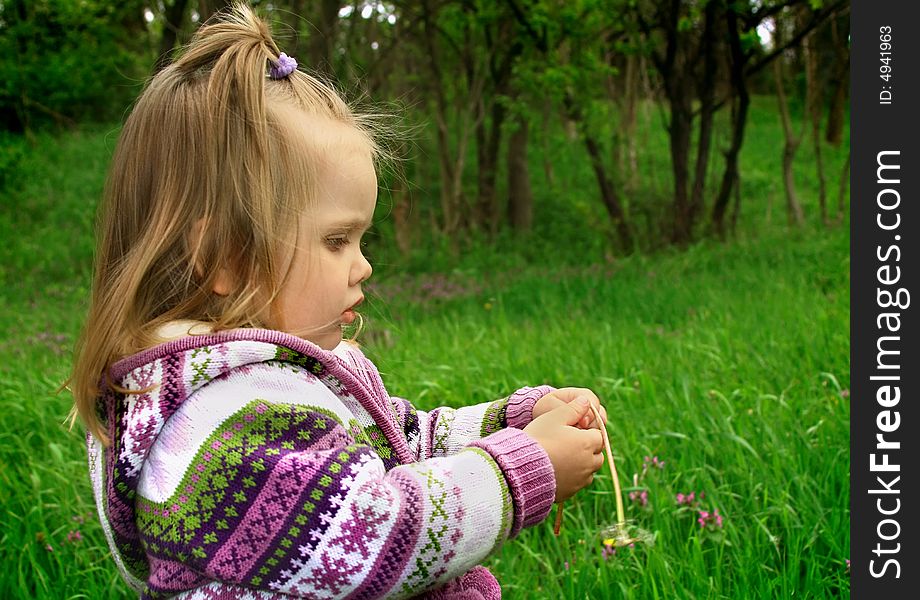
[{"x": 727, "y": 362}]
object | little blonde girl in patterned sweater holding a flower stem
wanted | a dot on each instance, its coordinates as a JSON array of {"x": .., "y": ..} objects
[{"x": 238, "y": 447}]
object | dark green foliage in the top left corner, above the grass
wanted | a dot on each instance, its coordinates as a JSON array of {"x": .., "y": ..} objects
[{"x": 63, "y": 61}]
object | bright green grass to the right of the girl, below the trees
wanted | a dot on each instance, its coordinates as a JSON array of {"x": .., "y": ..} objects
[{"x": 727, "y": 362}]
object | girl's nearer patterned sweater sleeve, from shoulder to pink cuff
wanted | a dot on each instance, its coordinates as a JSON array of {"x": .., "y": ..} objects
[{"x": 257, "y": 481}]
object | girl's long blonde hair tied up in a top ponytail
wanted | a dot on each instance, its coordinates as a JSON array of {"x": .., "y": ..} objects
[{"x": 202, "y": 179}]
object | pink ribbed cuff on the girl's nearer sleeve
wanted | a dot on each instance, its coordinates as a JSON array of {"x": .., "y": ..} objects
[{"x": 527, "y": 470}]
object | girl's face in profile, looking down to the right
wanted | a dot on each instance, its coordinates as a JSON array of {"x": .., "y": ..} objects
[{"x": 328, "y": 267}]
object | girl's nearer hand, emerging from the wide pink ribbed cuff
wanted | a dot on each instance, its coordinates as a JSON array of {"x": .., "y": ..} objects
[{"x": 576, "y": 454}]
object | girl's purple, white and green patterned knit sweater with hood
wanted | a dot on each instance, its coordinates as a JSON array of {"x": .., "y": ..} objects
[{"x": 254, "y": 464}]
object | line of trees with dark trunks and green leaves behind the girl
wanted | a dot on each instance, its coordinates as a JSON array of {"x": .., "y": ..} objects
[{"x": 477, "y": 78}]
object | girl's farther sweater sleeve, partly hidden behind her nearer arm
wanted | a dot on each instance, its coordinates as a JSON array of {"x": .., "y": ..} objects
[{"x": 444, "y": 431}]
